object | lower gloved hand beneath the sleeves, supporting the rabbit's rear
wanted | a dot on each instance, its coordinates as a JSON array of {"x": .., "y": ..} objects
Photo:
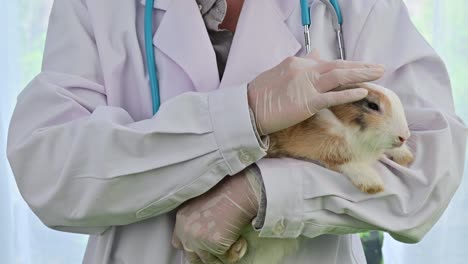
[{"x": 207, "y": 226}]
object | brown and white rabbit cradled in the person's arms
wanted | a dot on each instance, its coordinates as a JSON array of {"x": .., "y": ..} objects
[{"x": 347, "y": 138}]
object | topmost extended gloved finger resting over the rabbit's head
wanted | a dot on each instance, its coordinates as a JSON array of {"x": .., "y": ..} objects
[{"x": 339, "y": 77}]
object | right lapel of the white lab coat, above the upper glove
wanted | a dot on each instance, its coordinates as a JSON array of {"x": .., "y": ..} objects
[{"x": 262, "y": 40}]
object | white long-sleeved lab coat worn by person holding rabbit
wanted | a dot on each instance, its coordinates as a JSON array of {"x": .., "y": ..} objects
[{"x": 89, "y": 157}]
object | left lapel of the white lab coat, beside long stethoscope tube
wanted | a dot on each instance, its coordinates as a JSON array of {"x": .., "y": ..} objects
[{"x": 182, "y": 36}]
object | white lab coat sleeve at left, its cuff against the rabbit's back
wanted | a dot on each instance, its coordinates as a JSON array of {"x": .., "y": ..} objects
[{"x": 83, "y": 166}]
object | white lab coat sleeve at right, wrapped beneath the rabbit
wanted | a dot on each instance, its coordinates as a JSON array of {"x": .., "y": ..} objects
[{"x": 306, "y": 199}]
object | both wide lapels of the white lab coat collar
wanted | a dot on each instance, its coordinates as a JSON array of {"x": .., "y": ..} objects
[{"x": 262, "y": 40}]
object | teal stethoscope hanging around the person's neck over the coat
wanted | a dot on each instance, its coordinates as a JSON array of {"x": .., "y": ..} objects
[{"x": 332, "y": 5}]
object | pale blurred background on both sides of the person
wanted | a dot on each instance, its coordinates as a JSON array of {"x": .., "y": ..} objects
[{"x": 25, "y": 240}]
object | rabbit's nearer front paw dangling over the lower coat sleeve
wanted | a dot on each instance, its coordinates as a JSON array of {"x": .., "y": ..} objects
[{"x": 363, "y": 176}]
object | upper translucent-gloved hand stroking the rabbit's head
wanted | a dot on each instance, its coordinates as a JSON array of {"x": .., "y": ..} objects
[{"x": 299, "y": 87}]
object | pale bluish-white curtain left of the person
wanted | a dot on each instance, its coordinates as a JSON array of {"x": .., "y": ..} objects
[{"x": 23, "y": 238}]
